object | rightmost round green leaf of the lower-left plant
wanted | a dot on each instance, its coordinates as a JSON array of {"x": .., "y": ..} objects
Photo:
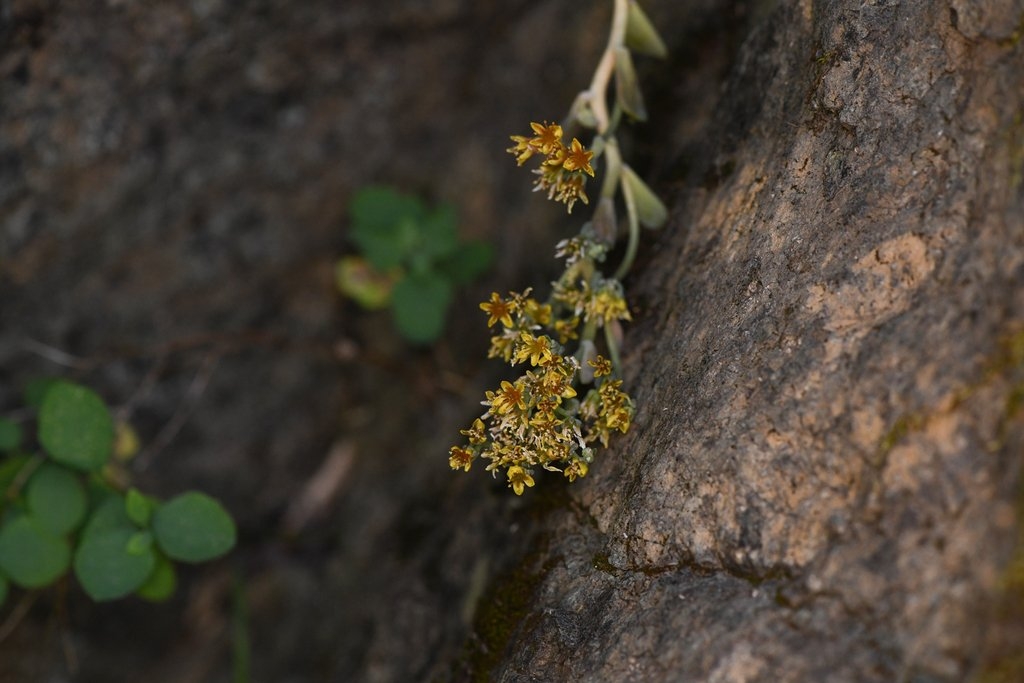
[{"x": 194, "y": 528}]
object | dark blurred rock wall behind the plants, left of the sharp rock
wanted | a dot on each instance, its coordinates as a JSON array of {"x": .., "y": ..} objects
[{"x": 176, "y": 179}]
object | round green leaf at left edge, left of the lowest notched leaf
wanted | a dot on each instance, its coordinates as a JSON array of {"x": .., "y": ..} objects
[{"x": 30, "y": 556}]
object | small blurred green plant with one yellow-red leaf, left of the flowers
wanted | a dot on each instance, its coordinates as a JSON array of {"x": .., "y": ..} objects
[{"x": 412, "y": 261}]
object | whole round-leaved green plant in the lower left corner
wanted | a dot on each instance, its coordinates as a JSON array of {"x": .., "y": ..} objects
[{"x": 62, "y": 508}]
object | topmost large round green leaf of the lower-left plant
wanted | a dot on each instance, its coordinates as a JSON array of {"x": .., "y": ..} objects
[{"x": 75, "y": 428}]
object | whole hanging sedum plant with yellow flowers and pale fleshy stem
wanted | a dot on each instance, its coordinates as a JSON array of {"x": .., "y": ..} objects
[{"x": 571, "y": 398}]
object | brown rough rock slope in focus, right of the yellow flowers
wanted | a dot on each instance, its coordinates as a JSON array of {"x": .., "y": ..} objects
[{"x": 822, "y": 480}]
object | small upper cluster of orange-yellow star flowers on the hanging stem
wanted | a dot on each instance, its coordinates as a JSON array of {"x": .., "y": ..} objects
[{"x": 564, "y": 172}]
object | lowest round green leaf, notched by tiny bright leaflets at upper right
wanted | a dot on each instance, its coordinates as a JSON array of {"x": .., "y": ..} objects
[{"x": 106, "y": 568}]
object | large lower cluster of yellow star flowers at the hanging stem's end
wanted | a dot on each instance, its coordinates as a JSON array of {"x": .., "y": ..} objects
[{"x": 539, "y": 420}]
